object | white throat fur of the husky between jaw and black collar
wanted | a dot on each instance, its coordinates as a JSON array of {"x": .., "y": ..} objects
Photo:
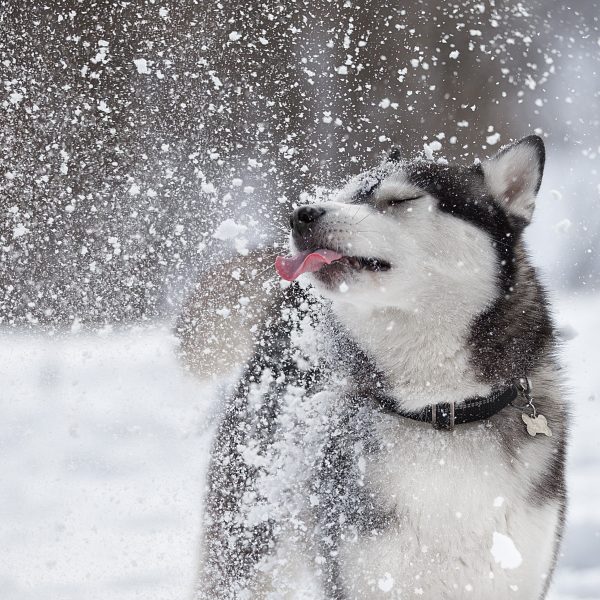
[{"x": 424, "y": 356}]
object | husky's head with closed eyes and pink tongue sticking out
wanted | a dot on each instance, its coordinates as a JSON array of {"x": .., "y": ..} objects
[{"x": 404, "y": 233}]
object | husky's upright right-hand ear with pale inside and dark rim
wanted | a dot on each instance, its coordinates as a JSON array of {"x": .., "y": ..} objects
[{"x": 514, "y": 176}]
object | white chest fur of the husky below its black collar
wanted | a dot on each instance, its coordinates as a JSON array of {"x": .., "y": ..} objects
[{"x": 460, "y": 519}]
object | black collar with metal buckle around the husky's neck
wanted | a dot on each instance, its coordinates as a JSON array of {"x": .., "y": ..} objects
[{"x": 447, "y": 415}]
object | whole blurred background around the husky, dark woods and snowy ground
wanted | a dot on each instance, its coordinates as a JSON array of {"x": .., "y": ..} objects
[{"x": 142, "y": 141}]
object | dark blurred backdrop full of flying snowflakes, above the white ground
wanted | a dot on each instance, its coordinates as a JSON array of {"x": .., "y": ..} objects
[{"x": 117, "y": 85}]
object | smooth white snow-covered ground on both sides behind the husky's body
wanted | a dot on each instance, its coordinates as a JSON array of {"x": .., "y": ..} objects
[{"x": 103, "y": 447}]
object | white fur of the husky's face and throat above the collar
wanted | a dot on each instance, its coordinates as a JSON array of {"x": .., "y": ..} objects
[{"x": 413, "y": 319}]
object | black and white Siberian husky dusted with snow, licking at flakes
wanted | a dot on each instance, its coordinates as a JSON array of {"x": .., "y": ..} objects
[{"x": 400, "y": 431}]
